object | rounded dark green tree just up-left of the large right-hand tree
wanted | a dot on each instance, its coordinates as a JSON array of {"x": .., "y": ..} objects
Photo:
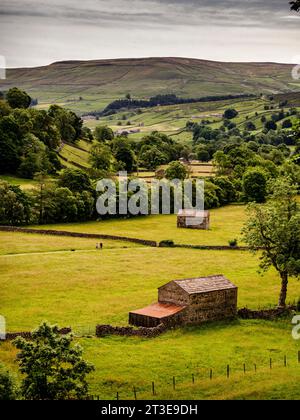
[{"x": 255, "y": 185}]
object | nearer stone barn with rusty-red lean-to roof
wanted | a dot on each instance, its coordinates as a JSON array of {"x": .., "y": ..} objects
[{"x": 189, "y": 302}]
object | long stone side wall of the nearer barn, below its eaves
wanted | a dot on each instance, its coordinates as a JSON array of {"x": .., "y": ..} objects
[{"x": 212, "y": 306}]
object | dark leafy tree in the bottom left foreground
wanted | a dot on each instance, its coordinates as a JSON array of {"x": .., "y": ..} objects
[{"x": 53, "y": 368}]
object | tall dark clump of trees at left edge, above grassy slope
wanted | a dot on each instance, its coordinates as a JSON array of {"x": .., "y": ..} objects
[{"x": 30, "y": 137}]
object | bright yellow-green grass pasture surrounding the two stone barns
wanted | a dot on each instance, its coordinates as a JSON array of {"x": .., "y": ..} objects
[{"x": 42, "y": 280}]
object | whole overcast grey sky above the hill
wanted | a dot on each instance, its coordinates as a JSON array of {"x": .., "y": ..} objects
[{"x": 39, "y": 32}]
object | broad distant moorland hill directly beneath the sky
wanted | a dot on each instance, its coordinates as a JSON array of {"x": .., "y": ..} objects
[{"x": 90, "y": 85}]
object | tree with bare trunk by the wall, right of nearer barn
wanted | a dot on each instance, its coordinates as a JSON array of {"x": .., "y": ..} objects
[{"x": 275, "y": 227}]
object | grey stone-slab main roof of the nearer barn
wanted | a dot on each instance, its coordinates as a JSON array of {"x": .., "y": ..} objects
[{"x": 204, "y": 284}]
